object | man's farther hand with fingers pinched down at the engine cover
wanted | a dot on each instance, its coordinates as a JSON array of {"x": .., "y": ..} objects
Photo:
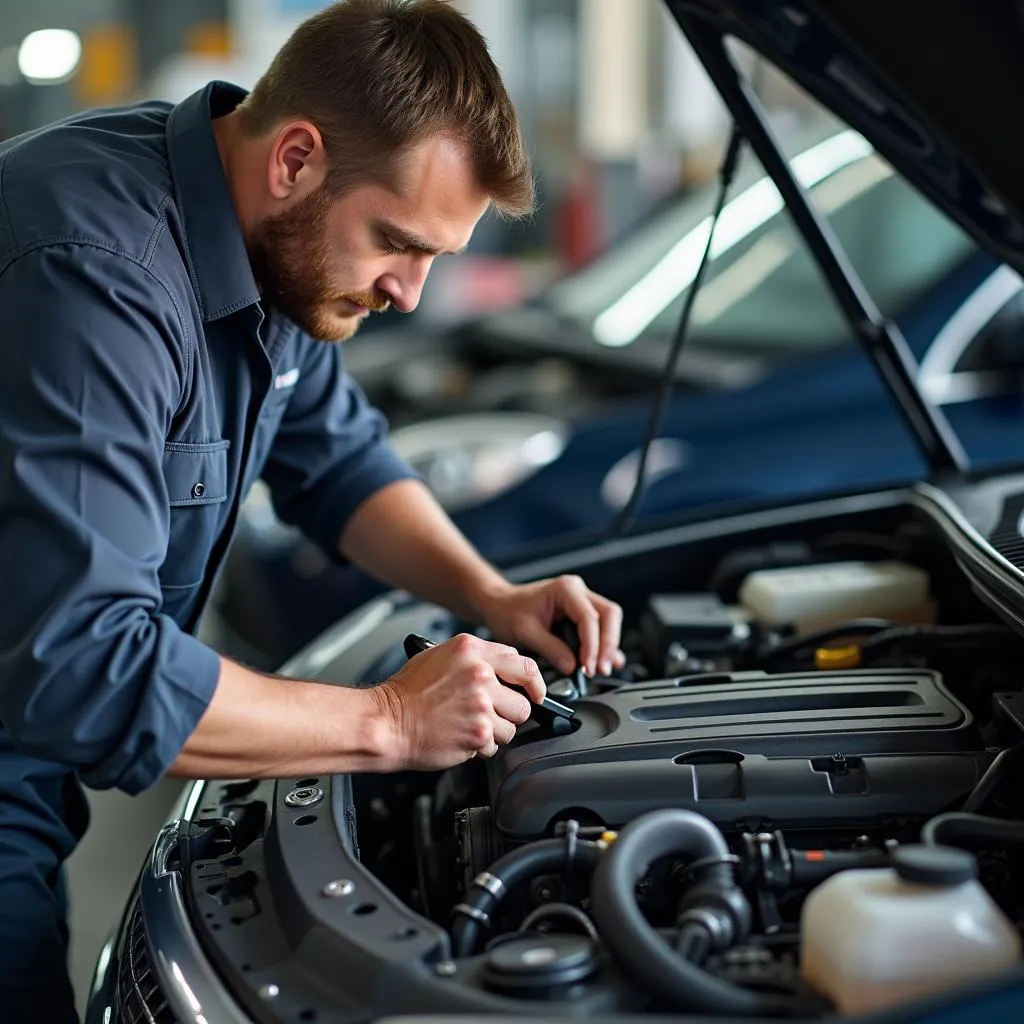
[{"x": 525, "y": 615}]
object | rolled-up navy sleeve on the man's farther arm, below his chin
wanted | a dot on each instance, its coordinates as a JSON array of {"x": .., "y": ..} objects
[{"x": 331, "y": 452}]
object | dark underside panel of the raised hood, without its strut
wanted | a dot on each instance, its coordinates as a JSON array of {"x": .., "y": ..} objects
[{"x": 929, "y": 83}]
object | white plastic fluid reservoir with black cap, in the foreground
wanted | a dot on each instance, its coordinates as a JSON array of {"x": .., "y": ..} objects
[{"x": 872, "y": 940}]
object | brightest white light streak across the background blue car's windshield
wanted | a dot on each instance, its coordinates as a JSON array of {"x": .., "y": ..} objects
[{"x": 626, "y": 319}]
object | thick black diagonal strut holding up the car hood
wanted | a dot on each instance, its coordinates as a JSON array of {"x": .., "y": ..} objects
[{"x": 881, "y": 337}]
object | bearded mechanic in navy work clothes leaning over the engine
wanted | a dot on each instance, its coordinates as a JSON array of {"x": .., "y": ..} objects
[{"x": 174, "y": 282}]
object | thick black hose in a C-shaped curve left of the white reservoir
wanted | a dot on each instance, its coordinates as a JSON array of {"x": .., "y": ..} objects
[{"x": 638, "y": 950}]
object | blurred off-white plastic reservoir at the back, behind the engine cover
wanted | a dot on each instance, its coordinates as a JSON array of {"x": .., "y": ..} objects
[{"x": 812, "y": 598}]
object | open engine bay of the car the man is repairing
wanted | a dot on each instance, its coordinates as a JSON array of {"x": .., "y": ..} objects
[{"x": 661, "y": 851}]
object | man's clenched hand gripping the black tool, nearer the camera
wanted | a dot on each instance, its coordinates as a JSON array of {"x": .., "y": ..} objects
[{"x": 447, "y": 705}]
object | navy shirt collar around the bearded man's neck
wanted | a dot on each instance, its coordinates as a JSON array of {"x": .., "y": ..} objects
[{"x": 219, "y": 263}]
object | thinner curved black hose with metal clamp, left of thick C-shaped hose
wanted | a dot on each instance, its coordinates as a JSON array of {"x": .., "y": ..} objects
[{"x": 548, "y": 857}]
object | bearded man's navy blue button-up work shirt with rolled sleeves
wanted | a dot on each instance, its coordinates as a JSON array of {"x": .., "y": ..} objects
[{"x": 144, "y": 391}]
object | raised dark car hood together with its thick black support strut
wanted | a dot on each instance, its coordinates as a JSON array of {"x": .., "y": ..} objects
[{"x": 925, "y": 83}]
